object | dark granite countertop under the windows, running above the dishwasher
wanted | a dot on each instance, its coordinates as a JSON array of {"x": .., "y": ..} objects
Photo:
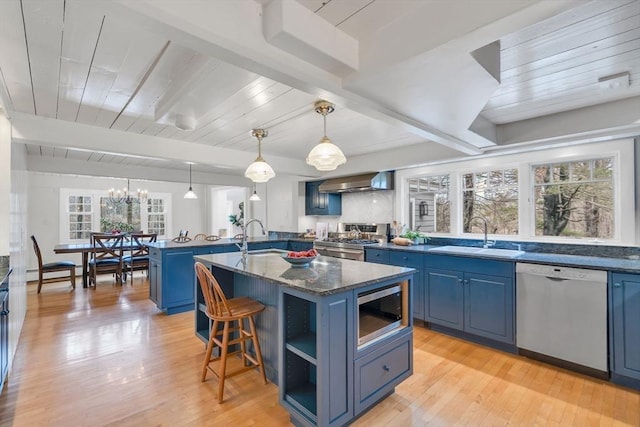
[{"x": 590, "y": 262}]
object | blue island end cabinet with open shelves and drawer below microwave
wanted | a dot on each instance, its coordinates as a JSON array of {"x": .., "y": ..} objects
[{"x": 324, "y": 378}]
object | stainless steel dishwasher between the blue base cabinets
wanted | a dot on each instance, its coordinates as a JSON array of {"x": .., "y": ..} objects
[{"x": 562, "y": 316}]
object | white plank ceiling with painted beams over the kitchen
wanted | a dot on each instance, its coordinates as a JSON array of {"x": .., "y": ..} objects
[{"x": 151, "y": 69}]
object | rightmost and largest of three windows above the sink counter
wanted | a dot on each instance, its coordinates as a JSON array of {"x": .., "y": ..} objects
[{"x": 575, "y": 199}]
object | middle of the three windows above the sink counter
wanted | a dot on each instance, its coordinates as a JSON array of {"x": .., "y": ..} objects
[{"x": 491, "y": 196}]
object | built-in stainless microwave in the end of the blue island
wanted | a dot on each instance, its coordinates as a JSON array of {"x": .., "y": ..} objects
[{"x": 381, "y": 312}]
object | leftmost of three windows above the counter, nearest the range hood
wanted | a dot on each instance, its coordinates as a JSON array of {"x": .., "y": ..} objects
[{"x": 430, "y": 203}]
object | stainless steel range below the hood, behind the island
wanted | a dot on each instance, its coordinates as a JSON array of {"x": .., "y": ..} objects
[{"x": 350, "y": 240}]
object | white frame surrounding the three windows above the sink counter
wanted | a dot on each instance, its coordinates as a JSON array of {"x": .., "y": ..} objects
[{"x": 624, "y": 188}]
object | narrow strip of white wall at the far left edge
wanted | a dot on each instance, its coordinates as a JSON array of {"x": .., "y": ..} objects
[{"x": 19, "y": 245}]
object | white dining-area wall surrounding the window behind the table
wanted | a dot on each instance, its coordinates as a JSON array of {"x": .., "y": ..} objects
[{"x": 44, "y": 207}]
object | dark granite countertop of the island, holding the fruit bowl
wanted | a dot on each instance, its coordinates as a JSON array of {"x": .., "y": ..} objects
[{"x": 324, "y": 276}]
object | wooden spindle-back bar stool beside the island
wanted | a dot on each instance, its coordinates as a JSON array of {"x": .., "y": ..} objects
[{"x": 223, "y": 312}]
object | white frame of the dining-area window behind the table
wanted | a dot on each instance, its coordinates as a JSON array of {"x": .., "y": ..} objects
[{"x": 95, "y": 195}]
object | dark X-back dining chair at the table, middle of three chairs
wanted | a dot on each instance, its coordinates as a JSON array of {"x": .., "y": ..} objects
[{"x": 106, "y": 256}]
